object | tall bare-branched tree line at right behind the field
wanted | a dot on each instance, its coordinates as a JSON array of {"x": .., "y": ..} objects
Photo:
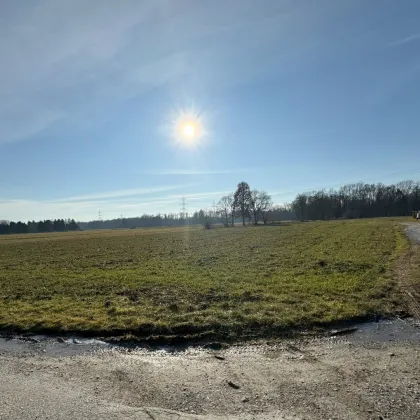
[{"x": 359, "y": 201}]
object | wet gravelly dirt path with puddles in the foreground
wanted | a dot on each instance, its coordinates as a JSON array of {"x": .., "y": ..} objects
[{"x": 371, "y": 374}]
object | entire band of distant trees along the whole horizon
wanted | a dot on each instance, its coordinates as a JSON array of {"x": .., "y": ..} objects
[{"x": 348, "y": 202}]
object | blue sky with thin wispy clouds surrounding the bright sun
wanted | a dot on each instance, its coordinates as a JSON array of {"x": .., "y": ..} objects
[{"x": 292, "y": 95}]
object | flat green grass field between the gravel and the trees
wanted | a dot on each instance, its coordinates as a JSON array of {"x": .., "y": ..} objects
[{"x": 236, "y": 281}]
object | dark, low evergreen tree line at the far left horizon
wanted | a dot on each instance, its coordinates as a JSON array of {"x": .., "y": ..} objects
[{"x": 57, "y": 225}]
